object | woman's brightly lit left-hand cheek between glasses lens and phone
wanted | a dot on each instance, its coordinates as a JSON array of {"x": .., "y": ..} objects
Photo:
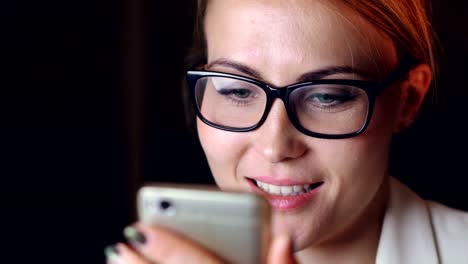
[{"x": 223, "y": 151}]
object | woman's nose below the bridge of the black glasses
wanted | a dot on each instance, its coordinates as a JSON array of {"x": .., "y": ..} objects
[{"x": 277, "y": 139}]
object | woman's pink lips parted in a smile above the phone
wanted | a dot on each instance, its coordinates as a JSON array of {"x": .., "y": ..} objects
[{"x": 285, "y": 203}]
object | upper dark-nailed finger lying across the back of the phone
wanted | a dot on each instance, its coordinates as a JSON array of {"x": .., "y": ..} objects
[{"x": 160, "y": 245}]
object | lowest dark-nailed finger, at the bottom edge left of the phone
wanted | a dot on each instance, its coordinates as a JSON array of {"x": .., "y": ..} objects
[{"x": 121, "y": 253}]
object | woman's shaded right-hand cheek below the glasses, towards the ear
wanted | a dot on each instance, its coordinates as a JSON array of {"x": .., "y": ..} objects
[{"x": 367, "y": 154}]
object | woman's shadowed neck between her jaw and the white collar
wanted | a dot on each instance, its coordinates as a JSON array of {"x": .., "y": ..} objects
[{"x": 359, "y": 242}]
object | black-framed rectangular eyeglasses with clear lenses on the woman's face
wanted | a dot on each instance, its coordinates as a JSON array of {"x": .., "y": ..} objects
[{"x": 325, "y": 108}]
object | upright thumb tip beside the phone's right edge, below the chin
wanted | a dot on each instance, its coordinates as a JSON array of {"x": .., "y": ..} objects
[{"x": 281, "y": 251}]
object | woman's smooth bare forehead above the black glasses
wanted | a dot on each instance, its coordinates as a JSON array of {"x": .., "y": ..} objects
[{"x": 289, "y": 36}]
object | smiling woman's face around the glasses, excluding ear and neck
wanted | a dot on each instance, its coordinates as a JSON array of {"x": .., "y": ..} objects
[{"x": 281, "y": 41}]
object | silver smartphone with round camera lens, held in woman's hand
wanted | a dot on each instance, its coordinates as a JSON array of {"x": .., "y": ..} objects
[{"x": 235, "y": 226}]
